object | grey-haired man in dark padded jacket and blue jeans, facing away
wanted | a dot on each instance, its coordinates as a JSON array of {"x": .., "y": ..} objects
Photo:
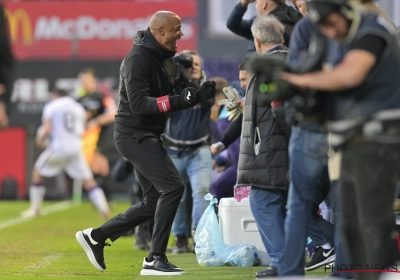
[{"x": 263, "y": 159}]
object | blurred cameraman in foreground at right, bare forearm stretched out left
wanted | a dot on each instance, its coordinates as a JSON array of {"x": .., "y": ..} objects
[{"x": 365, "y": 124}]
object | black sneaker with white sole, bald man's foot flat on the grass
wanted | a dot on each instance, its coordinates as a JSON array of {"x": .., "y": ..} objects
[{"x": 160, "y": 266}]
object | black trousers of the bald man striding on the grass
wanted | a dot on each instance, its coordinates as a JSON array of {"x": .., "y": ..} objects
[{"x": 161, "y": 183}]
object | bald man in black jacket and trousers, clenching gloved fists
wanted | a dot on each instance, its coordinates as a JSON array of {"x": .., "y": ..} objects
[{"x": 146, "y": 95}]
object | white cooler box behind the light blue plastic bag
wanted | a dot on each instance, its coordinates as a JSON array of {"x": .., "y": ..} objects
[{"x": 237, "y": 225}]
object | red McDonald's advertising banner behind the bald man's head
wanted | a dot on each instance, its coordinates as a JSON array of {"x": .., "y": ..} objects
[{"x": 89, "y": 29}]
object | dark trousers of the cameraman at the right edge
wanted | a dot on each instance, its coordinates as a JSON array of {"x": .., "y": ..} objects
[{"x": 367, "y": 184}]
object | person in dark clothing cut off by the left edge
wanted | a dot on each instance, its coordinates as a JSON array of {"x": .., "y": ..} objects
[{"x": 6, "y": 70}]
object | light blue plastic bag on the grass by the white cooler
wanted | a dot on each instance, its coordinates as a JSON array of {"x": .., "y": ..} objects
[{"x": 210, "y": 247}]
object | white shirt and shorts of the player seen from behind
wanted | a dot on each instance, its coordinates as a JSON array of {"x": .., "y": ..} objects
[{"x": 68, "y": 119}]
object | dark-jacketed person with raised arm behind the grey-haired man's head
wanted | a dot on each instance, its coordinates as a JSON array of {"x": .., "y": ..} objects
[{"x": 287, "y": 15}]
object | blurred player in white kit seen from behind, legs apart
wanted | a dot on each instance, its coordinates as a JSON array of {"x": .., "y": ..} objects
[{"x": 63, "y": 124}]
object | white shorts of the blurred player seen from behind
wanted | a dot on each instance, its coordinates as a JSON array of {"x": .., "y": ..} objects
[{"x": 50, "y": 164}]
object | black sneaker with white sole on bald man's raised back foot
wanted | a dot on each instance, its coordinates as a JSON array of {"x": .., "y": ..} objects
[{"x": 94, "y": 250}]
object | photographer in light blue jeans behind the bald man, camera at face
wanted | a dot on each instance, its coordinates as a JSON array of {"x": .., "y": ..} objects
[{"x": 186, "y": 140}]
